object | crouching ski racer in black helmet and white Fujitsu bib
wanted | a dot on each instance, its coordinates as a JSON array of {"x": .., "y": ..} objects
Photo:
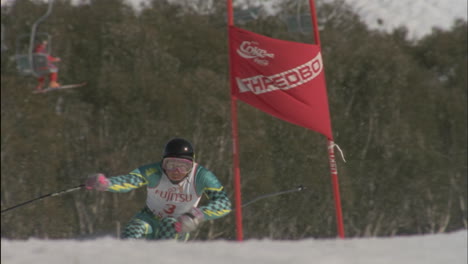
[{"x": 174, "y": 189}]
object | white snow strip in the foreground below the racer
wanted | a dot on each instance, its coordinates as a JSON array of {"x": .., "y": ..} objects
[{"x": 426, "y": 249}]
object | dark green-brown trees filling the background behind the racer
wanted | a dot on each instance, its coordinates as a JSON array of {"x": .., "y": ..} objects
[{"x": 398, "y": 109}]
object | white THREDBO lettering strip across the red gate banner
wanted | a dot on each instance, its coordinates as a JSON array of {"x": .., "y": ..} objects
[{"x": 282, "y": 81}]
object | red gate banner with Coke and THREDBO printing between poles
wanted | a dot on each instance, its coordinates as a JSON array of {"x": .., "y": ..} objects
[{"x": 282, "y": 78}]
